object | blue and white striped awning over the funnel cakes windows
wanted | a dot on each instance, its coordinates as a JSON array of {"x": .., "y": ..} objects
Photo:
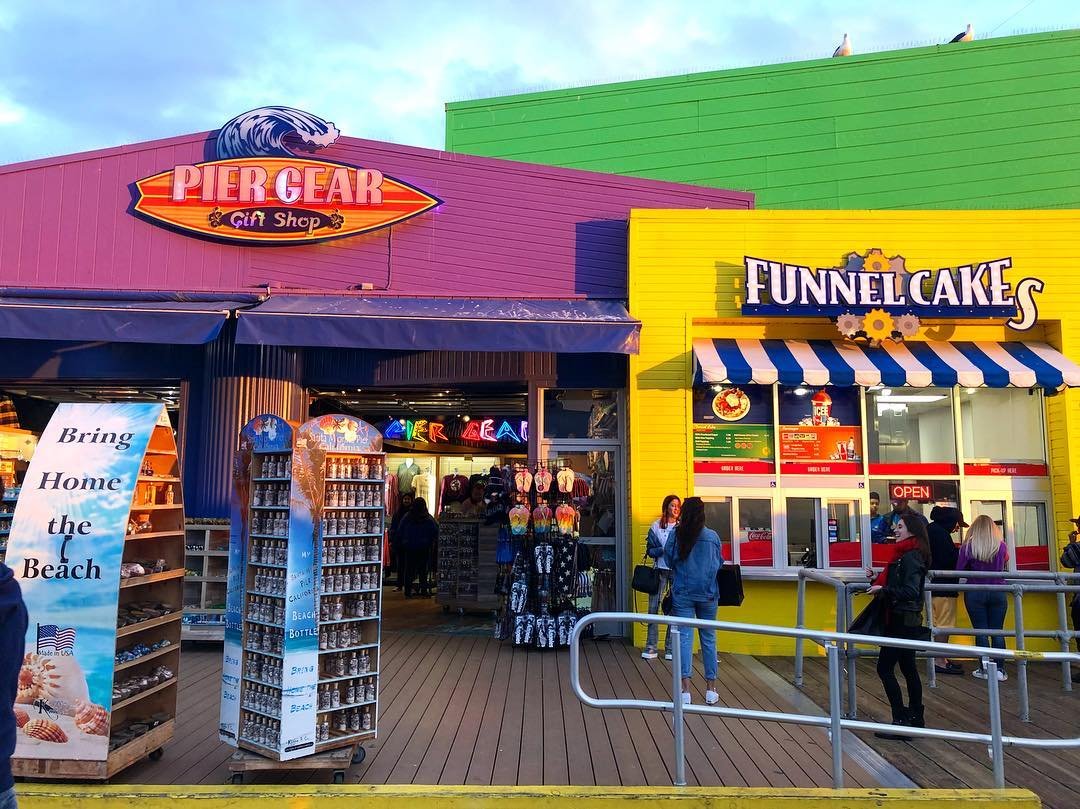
[{"x": 895, "y": 365}]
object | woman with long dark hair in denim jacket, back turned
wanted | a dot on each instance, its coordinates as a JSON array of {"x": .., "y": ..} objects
[{"x": 694, "y": 556}]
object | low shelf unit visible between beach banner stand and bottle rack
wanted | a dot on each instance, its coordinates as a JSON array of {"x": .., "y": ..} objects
[{"x": 207, "y": 550}]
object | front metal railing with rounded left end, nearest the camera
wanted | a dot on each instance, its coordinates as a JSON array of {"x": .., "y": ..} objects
[{"x": 835, "y": 724}]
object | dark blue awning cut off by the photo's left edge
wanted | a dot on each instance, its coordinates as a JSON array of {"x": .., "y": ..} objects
[{"x": 167, "y": 318}]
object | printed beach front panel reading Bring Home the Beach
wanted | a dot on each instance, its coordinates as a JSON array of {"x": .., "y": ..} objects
[{"x": 67, "y": 543}]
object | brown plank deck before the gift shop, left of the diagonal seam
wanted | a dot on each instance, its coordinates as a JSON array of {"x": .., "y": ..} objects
[{"x": 460, "y": 708}]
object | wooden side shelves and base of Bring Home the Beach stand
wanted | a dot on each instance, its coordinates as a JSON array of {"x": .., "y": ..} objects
[{"x": 146, "y": 668}]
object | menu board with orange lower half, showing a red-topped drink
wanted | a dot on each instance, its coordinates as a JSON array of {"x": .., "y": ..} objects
[{"x": 820, "y": 432}]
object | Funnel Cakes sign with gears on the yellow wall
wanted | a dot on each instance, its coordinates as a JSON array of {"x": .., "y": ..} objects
[{"x": 877, "y": 285}]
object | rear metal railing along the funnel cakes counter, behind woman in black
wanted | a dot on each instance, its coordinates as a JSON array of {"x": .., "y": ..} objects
[{"x": 1018, "y": 585}]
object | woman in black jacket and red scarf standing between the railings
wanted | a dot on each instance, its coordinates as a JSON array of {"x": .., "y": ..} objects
[{"x": 903, "y": 599}]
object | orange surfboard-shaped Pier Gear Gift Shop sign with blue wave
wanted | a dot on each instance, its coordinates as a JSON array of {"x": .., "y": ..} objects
[{"x": 262, "y": 191}]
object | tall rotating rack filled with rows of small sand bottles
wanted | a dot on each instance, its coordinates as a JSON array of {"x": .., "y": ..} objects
[{"x": 303, "y": 617}]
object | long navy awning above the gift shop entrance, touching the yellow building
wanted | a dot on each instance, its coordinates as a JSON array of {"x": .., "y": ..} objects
[{"x": 449, "y": 325}]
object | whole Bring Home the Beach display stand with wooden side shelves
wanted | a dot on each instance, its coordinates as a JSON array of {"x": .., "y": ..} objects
[{"x": 98, "y": 546}]
